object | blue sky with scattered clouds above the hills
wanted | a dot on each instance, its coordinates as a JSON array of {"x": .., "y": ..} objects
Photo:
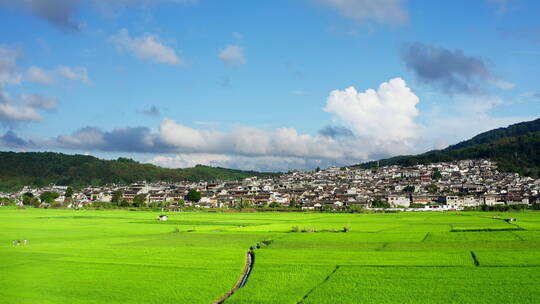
[{"x": 265, "y": 85}]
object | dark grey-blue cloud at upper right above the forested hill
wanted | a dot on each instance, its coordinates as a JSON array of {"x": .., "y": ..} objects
[{"x": 449, "y": 70}]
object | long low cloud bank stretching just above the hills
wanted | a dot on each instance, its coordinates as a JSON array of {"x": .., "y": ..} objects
[{"x": 172, "y": 137}]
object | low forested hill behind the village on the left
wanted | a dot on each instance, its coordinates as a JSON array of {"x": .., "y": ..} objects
[{"x": 43, "y": 168}]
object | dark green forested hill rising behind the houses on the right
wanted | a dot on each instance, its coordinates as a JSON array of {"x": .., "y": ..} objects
[{"x": 515, "y": 148}]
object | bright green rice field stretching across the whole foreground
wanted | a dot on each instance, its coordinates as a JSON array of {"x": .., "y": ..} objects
[{"x": 85, "y": 256}]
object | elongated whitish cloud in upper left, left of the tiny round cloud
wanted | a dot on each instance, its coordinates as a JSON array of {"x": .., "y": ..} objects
[{"x": 147, "y": 47}]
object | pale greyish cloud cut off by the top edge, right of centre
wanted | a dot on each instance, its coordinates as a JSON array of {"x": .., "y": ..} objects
[{"x": 383, "y": 11}]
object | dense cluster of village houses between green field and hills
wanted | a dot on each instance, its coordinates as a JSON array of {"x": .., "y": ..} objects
[{"x": 439, "y": 186}]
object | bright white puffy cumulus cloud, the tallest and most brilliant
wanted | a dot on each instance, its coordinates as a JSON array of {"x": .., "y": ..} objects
[{"x": 385, "y": 115}]
